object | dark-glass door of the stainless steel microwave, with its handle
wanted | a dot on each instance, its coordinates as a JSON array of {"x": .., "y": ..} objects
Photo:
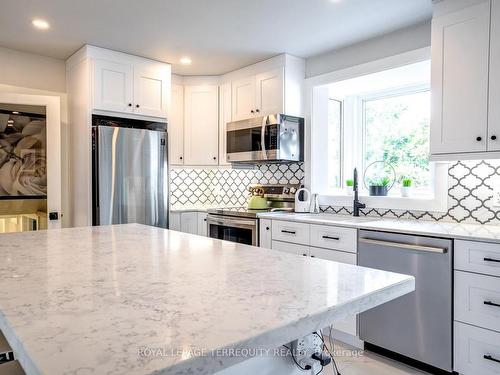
[{"x": 251, "y": 140}]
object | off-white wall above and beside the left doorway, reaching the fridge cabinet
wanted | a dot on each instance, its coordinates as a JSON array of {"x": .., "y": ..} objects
[{"x": 26, "y": 73}]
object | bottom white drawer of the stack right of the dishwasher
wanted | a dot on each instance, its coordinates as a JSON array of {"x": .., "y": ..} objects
[{"x": 477, "y": 350}]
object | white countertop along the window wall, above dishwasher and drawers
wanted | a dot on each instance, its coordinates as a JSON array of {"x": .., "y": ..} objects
[{"x": 473, "y": 232}]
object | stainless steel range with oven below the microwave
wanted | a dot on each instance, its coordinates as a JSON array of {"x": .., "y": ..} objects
[{"x": 241, "y": 224}]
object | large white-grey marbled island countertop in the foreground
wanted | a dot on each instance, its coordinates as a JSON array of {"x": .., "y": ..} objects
[{"x": 133, "y": 299}]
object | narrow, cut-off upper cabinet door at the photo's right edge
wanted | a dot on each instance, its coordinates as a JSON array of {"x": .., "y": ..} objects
[{"x": 494, "y": 107}]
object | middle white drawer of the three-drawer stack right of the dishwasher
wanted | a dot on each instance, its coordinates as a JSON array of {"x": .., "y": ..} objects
[{"x": 477, "y": 300}]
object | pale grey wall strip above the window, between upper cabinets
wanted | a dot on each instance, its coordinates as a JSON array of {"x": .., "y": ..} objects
[{"x": 409, "y": 39}]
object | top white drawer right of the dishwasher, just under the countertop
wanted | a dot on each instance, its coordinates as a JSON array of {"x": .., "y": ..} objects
[{"x": 480, "y": 257}]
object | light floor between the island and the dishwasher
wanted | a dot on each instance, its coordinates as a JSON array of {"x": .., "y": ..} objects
[{"x": 351, "y": 361}]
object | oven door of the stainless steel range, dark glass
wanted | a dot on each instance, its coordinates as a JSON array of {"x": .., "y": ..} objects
[{"x": 240, "y": 230}]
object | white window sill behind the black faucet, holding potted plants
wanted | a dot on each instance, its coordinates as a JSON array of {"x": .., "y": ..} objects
[{"x": 389, "y": 202}]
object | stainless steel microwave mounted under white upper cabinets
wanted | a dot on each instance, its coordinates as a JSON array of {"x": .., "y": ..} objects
[{"x": 267, "y": 139}]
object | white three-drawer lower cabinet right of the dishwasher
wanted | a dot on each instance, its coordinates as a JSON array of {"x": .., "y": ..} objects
[{"x": 476, "y": 308}]
